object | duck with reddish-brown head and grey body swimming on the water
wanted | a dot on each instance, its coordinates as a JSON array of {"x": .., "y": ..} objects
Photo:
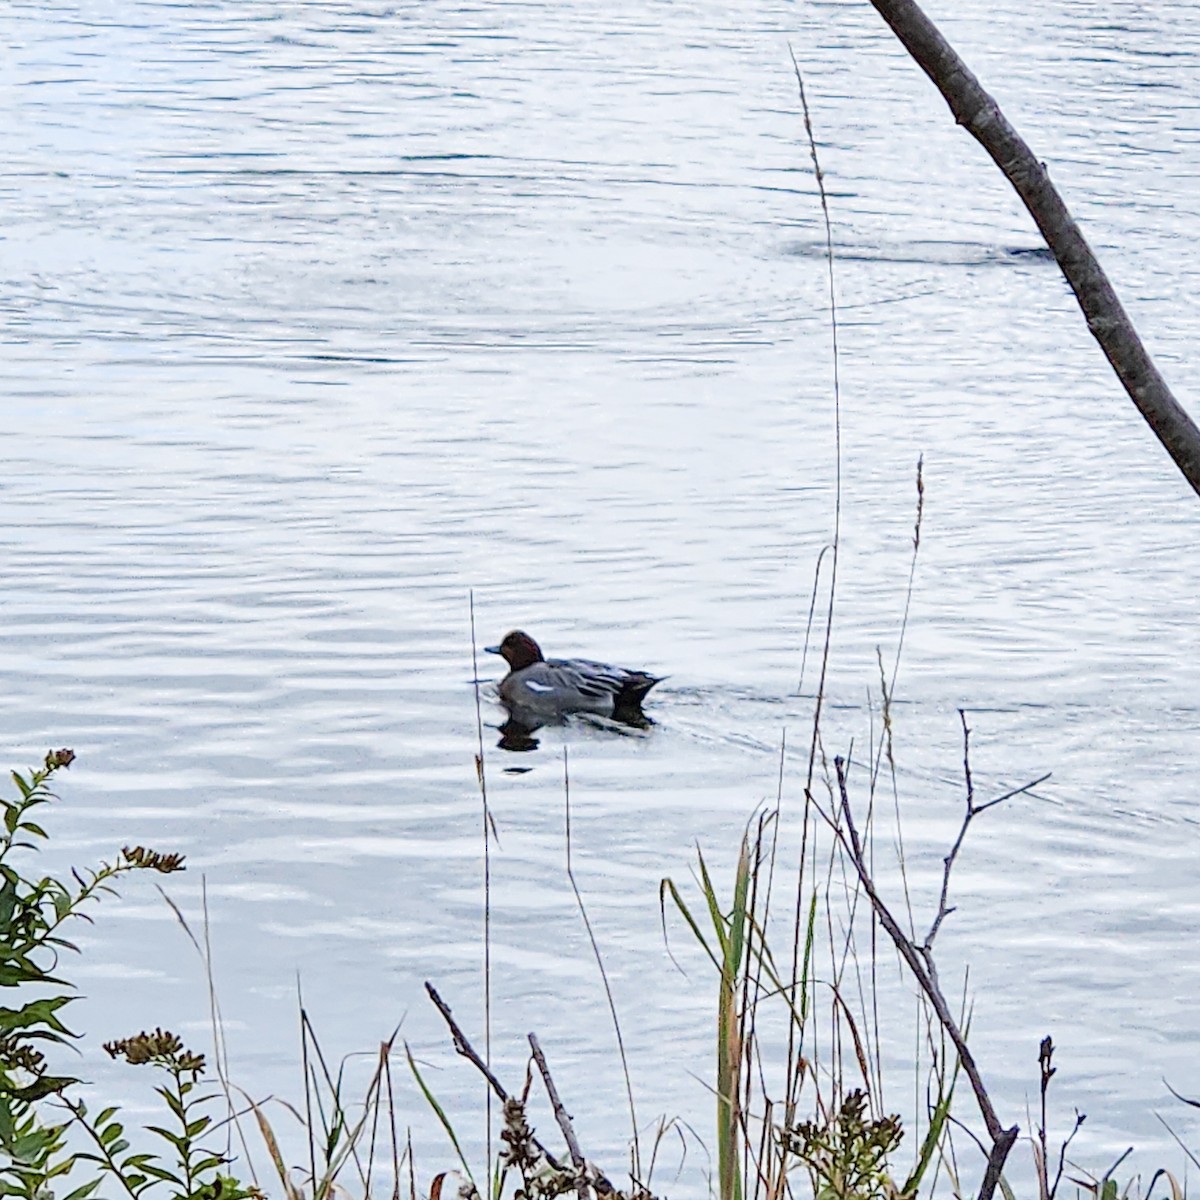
[{"x": 556, "y": 688}]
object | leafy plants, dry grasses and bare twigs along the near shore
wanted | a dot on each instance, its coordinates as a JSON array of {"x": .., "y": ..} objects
[{"x": 796, "y": 1088}]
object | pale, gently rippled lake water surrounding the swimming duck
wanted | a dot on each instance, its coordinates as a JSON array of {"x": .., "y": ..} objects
[{"x": 320, "y": 316}]
